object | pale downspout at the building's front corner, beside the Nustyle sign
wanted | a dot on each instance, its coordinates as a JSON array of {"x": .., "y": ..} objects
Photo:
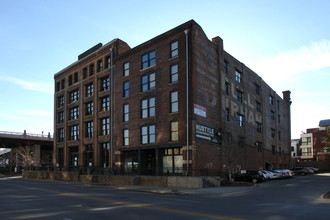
[{"x": 187, "y": 98}]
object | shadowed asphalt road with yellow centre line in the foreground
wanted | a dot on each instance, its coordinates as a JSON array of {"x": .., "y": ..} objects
[{"x": 296, "y": 198}]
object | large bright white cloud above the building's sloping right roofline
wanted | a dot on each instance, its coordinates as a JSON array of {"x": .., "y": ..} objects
[{"x": 286, "y": 64}]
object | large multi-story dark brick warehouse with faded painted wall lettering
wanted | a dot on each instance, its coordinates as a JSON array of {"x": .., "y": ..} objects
[{"x": 136, "y": 110}]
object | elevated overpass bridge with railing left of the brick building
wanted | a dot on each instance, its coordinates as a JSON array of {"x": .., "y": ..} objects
[{"x": 40, "y": 149}]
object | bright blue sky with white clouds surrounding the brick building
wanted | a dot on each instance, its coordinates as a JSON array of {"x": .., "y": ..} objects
[{"x": 287, "y": 43}]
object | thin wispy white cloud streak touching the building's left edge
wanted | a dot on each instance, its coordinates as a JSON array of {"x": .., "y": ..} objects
[{"x": 32, "y": 86}]
